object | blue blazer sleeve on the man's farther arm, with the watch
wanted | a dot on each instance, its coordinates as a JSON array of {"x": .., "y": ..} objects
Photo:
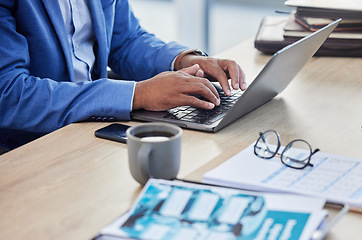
[{"x": 135, "y": 53}]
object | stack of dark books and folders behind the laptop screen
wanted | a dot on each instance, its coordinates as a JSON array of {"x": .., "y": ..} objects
[{"x": 309, "y": 16}]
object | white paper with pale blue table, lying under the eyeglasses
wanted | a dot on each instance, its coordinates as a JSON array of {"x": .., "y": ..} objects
[{"x": 337, "y": 179}]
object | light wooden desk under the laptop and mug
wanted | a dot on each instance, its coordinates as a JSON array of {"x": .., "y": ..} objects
[{"x": 70, "y": 184}]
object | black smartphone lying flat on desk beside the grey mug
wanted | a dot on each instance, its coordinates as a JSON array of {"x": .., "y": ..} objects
[{"x": 114, "y": 132}]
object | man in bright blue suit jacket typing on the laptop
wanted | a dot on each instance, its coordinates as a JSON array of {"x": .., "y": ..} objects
[{"x": 40, "y": 92}]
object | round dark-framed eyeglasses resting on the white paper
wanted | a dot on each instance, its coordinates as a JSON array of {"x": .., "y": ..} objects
[{"x": 296, "y": 154}]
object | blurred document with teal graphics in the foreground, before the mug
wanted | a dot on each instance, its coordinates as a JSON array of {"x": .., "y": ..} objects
[{"x": 183, "y": 210}]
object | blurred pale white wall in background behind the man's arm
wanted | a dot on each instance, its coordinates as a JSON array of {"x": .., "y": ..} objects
[{"x": 231, "y": 21}]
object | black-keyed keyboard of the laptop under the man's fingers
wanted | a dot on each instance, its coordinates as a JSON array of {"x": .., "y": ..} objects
[{"x": 204, "y": 116}]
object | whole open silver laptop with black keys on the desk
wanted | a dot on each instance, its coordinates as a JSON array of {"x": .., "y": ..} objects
[{"x": 271, "y": 81}]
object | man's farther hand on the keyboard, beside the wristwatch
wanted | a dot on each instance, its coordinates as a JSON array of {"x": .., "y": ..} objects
[{"x": 217, "y": 70}]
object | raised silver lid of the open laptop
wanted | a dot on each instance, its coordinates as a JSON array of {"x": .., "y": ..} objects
[{"x": 277, "y": 74}]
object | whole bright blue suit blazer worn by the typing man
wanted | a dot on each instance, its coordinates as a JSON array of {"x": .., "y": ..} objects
[{"x": 37, "y": 92}]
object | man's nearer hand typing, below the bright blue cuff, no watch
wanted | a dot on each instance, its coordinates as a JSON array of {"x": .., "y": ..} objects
[{"x": 172, "y": 89}]
